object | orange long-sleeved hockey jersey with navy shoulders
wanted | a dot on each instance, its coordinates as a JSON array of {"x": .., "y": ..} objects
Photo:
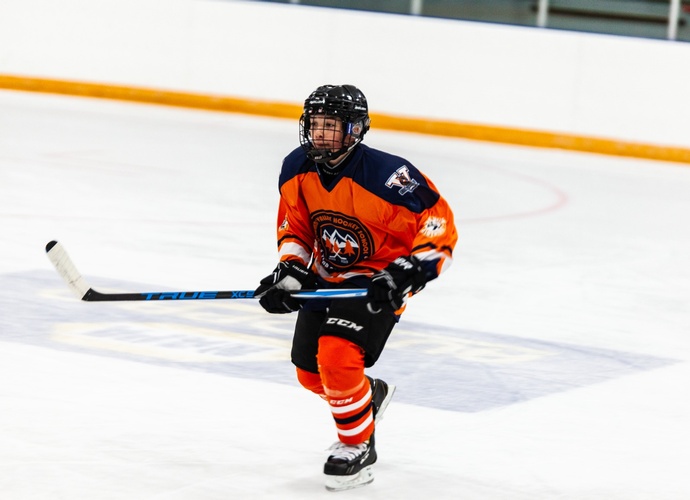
[{"x": 378, "y": 208}]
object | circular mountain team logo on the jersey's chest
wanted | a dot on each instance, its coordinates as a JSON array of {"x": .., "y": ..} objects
[{"x": 342, "y": 240}]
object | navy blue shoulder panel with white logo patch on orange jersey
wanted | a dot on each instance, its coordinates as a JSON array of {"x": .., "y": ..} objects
[{"x": 391, "y": 178}]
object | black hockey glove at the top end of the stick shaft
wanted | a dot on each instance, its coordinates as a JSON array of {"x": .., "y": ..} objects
[{"x": 389, "y": 288}]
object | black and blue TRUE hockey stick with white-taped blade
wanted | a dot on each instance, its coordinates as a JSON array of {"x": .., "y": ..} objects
[{"x": 76, "y": 282}]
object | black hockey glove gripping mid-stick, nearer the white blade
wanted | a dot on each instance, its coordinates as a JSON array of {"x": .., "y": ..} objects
[{"x": 274, "y": 290}]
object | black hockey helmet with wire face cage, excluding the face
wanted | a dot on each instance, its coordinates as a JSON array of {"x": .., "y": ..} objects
[{"x": 345, "y": 102}]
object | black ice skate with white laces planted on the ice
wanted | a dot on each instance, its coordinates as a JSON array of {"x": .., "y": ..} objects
[{"x": 350, "y": 466}]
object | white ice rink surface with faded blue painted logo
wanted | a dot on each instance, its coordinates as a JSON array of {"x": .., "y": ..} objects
[{"x": 556, "y": 347}]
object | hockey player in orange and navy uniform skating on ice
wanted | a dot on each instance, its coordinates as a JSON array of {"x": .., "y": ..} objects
[{"x": 351, "y": 216}]
